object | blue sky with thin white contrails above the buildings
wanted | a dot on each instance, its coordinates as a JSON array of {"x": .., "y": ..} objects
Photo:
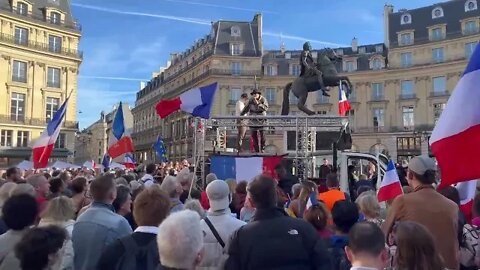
[{"x": 124, "y": 41}]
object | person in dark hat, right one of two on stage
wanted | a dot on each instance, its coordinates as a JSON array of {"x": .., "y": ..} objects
[{"x": 257, "y": 106}]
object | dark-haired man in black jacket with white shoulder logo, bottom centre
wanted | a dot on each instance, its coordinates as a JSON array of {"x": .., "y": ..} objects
[{"x": 273, "y": 240}]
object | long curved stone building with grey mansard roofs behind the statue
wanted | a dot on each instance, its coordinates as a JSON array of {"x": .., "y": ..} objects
[{"x": 401, "y": 85}]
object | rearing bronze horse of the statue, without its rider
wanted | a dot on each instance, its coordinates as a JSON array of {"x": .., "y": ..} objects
[{"x": 305, "y": 84}]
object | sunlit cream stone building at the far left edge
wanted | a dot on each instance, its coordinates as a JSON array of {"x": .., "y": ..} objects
[{"x": 39, "y": 63}]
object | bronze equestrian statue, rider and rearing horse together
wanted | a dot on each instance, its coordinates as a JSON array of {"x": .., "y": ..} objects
[{"x": 314, "y": 77}]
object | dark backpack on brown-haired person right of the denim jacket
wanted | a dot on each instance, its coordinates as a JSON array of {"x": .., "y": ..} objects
[{"x": 135, "y": 257}]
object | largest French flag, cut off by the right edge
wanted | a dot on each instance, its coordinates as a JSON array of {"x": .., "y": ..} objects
[{"x": 455, "y": 138}]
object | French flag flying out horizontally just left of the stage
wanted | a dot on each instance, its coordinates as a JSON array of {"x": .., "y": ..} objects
[{"x": 196, "y": 101}]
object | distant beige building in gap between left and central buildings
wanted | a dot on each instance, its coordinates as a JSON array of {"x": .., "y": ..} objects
[{"x": 92, "y": 142}]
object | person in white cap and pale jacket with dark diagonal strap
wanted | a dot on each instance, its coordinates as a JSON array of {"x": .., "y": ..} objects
[{"x": 218, "y": 226}]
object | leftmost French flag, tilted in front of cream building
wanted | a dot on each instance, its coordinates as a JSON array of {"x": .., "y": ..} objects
[{"x": 43, "y": 147}]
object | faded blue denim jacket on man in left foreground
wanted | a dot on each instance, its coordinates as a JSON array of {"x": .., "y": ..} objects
[{"x": 97, "y": 227}]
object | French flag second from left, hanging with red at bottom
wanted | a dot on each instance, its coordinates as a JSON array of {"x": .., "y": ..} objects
[{"x": 119, "y": 142}]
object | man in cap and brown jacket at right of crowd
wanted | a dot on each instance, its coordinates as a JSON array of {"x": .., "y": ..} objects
[{"x": 427, "y": 207}]
